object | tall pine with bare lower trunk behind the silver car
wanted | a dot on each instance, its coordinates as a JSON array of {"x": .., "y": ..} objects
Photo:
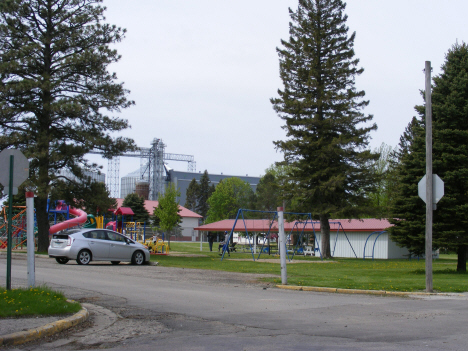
[{"x": 55, "y": 89}]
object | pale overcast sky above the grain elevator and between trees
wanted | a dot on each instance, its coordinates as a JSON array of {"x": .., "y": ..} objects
[{"x": 202, "y": 73}]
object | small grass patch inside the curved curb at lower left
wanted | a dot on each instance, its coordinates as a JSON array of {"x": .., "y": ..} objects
[{"x": 34, "y": 301}]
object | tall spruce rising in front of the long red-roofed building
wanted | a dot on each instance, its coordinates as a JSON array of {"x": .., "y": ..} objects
[{"x": 327, "y": 134}]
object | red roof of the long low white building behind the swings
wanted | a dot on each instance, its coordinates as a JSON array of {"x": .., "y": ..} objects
[{"x": 262, "y": 225}]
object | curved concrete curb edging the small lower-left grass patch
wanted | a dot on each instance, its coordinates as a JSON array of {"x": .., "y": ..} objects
[{"x": 49, "y": 329}]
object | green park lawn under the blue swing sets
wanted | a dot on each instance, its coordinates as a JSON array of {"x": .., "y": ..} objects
[{"x": 391, "y": 275}]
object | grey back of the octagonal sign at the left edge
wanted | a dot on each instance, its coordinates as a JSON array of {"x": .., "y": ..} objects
[{"x": 20, "y": 167}]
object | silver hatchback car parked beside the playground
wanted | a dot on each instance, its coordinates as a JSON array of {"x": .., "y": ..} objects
[{"x": 88, "y": 245}]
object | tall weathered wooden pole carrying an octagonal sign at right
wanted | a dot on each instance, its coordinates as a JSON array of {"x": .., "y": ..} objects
[{"x": 429, "y": 189}]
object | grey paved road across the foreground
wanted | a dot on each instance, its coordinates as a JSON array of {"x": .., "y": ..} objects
[{"x": 157, "y": 308}]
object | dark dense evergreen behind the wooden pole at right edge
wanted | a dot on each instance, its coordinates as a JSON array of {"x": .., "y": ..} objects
[{"x": 450, "y": 159}]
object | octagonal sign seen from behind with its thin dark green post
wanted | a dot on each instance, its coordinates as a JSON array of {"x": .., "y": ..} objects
[{"x": 12, "y": 177}]
